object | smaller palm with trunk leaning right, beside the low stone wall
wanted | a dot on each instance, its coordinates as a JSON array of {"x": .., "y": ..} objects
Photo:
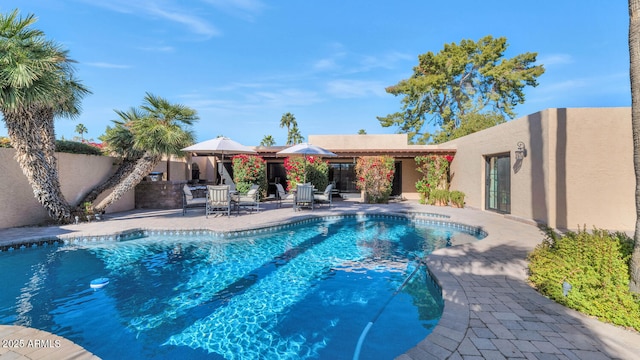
[{"x": 140, "y": 138}]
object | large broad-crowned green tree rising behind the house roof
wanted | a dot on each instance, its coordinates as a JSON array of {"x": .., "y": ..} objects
[{"x": 462, "y": 79}]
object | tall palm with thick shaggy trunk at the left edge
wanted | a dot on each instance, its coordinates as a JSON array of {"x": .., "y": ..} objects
[{"x": 36, "y": 85}]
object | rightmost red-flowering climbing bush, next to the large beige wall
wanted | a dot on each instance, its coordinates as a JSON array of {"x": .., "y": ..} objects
[{"x": 435, "y": 171}]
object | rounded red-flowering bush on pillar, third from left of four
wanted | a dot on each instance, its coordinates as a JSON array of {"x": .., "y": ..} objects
[{"x": 374, "y": 176}]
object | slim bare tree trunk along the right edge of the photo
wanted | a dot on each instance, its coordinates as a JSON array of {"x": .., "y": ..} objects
[{"x": 634, "y": 72}]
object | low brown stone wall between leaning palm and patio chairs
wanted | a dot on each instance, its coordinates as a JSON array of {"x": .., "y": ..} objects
[{"x": 159, "y": 195}]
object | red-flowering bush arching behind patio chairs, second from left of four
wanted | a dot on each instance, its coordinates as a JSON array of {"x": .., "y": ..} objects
[{"x": 316, "y": 170}]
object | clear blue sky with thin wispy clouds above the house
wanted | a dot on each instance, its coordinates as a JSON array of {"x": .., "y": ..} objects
[{"x": 243, "y": 63}]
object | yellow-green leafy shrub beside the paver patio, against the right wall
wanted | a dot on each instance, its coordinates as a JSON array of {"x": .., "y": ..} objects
[{"x": 596, "y": 265}]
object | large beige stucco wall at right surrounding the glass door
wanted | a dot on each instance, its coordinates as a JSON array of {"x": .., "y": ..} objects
[{"x": 578, "y": 170}]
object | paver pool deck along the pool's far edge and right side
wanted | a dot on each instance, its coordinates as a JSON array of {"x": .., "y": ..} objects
[{"x": 484, "y": 286}]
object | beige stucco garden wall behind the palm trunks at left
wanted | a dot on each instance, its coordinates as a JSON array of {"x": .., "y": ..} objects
[{"x": 78, "y": 173}]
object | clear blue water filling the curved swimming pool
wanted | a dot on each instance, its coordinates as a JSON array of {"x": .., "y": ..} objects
[{"x": 303, "y": 291}]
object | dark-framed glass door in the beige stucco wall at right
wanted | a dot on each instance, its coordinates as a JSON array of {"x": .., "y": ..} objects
[{"x": 498, "y": 183}]
